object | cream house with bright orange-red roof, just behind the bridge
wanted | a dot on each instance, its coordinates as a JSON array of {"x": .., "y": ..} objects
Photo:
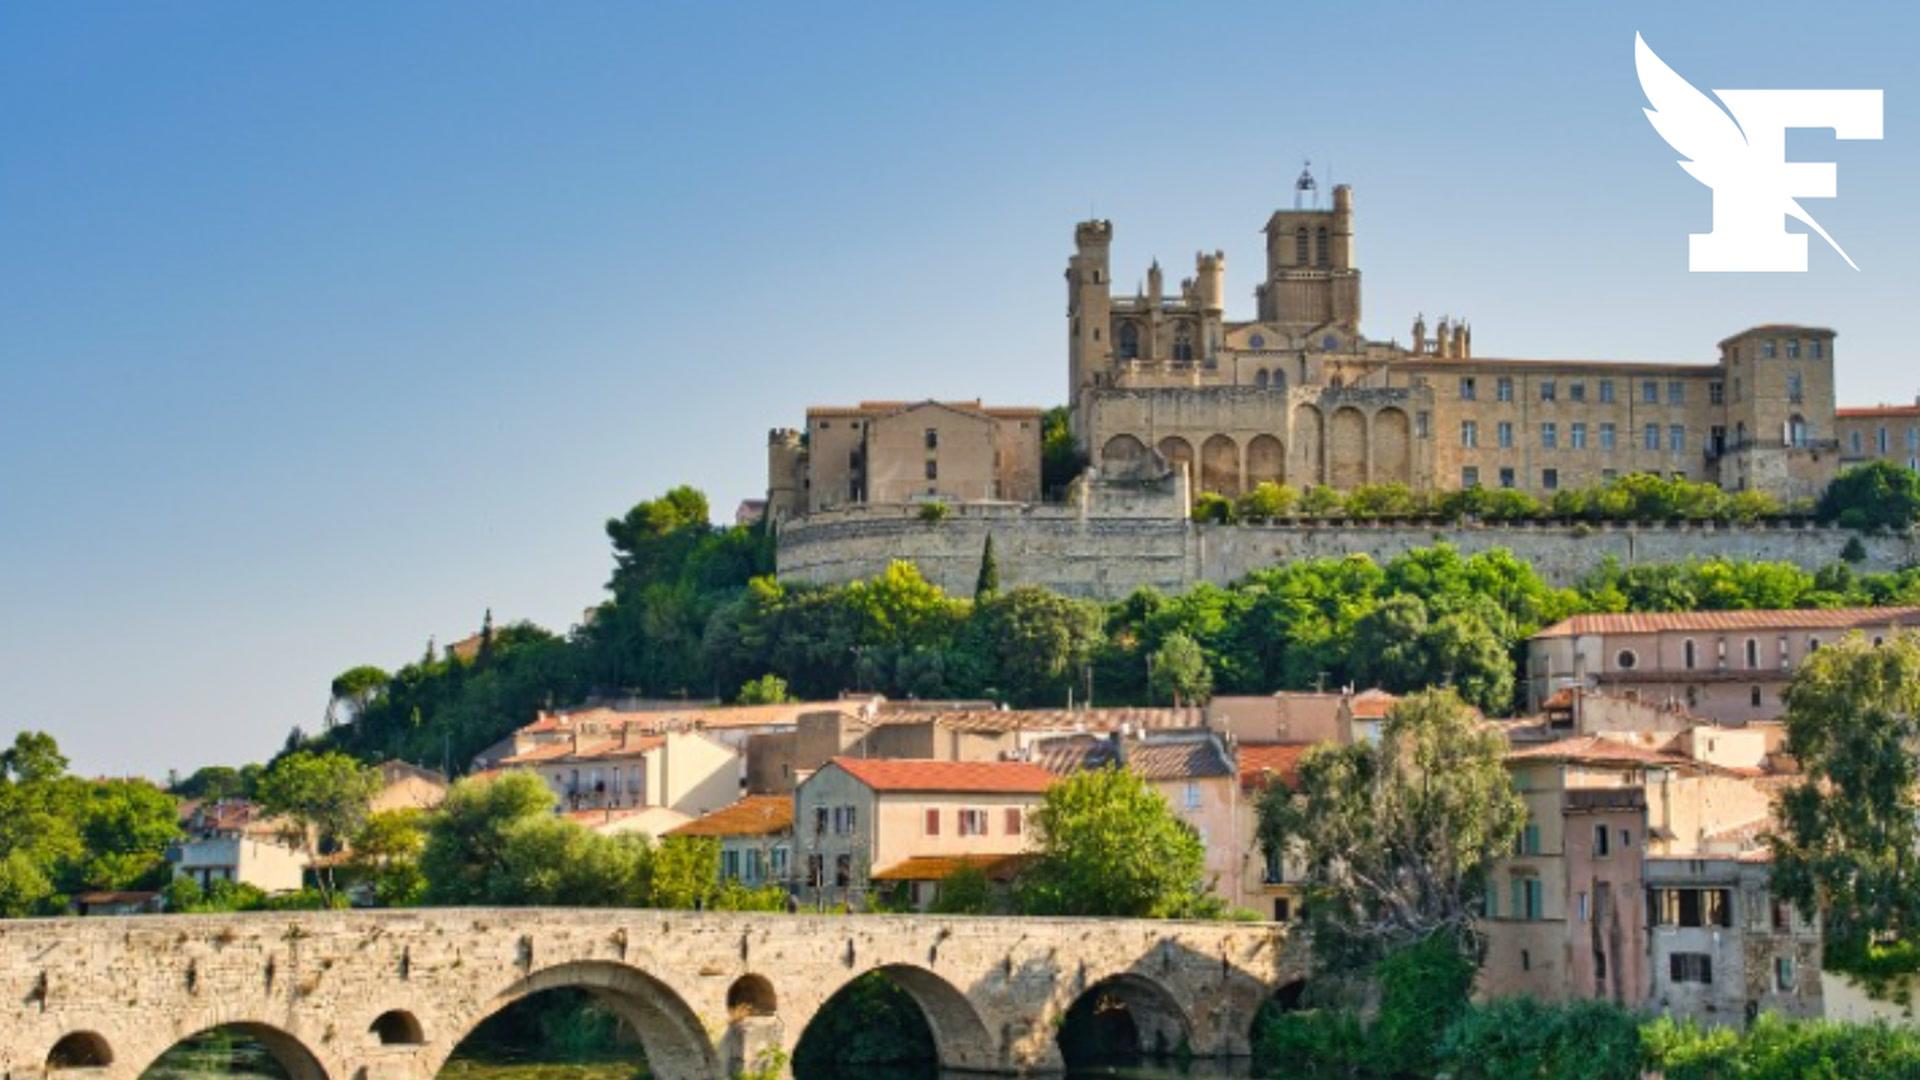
[{"x": 859, "y": 820}]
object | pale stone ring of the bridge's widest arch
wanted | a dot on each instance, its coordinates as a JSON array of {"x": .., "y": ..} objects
[{"x": 671, "y": 1035}]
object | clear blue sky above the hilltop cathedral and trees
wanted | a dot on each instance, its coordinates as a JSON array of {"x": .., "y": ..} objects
[{"x": 324, "y": 330}]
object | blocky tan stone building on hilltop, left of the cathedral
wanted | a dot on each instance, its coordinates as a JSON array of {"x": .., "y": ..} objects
[{"x": 900, "y": 453}]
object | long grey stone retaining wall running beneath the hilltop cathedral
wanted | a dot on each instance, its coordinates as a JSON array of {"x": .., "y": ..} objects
[{"x": 1107, "y": 556}]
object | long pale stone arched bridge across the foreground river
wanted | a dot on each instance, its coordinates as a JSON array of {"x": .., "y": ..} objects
[{"x": 387, "y": 996}]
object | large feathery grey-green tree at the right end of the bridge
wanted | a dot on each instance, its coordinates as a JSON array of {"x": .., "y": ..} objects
[{"x": 1399, "y": 835}]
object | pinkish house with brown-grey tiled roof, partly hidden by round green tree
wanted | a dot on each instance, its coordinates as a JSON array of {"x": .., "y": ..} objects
[{"x": 1193, "y": 773}]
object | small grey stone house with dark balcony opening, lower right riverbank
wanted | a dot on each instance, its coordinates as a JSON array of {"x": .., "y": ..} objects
[{"x": 1723, "y": 946}]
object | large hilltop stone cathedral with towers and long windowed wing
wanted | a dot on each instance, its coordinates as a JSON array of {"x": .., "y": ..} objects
[{"x": 1303, "y": 397}]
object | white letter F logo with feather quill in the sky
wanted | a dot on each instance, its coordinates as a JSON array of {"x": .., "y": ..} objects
[{"x": 1742, "y": 155}]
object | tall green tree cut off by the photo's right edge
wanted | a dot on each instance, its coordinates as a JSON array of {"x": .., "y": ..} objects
[{"x": 1848, "y": 831}]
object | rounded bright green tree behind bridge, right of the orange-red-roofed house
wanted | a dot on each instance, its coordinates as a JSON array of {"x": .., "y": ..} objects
[{"x": 1109, "y": 845}]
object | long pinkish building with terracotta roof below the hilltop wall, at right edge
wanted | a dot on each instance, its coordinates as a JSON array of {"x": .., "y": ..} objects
[{"x": 1727, "y": 668}]
